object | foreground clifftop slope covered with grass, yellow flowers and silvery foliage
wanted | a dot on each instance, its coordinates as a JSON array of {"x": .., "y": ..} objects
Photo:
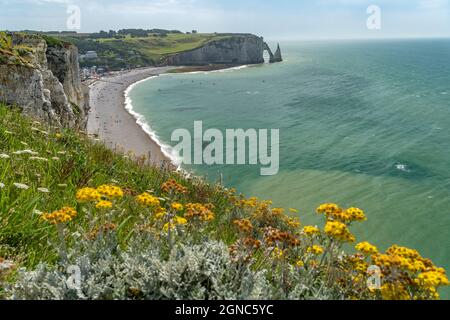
[{"x": 138, "y": 232}]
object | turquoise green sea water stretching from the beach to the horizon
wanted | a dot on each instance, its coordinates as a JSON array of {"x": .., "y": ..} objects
[{"x": 364, "y": 123}]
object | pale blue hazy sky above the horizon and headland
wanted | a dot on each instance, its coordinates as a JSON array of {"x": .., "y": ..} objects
[{"x": 273, "y": 19}]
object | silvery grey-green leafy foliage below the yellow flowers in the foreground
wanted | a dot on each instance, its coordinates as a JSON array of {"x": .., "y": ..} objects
[{"x": 203, "y": 271}]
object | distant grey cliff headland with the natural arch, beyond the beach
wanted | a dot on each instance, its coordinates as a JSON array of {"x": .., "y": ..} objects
[{"x": 227, "y": 49}]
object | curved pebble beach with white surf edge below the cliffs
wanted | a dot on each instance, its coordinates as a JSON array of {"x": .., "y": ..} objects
[{"x": 112, "y": 119}]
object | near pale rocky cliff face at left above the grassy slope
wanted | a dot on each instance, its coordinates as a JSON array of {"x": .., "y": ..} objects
[{"x": 43, "y": 81}]
